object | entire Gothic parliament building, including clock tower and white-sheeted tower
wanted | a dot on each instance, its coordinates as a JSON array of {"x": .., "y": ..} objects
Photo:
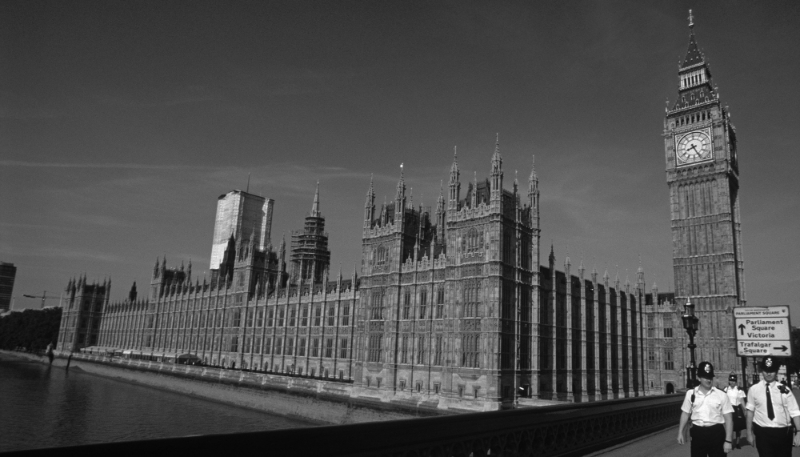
[{"x": 452, "y": 304}]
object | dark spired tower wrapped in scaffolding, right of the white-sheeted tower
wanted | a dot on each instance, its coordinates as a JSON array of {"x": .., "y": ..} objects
[{"x": 310, "y": 255}]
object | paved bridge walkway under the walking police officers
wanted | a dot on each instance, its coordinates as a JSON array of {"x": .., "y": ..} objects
[{"x": 665, "y": 444}]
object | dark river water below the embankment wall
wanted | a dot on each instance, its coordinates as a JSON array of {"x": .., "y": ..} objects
[{"x": 42, "y": 406}]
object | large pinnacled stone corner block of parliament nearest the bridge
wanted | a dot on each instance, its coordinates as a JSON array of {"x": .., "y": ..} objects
[{"x": 449, "y": 297}]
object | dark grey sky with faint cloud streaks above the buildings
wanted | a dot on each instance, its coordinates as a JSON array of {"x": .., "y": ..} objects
[{"x": 122, "y": 122}]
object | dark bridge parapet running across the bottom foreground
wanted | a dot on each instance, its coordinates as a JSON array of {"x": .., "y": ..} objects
[{"x": 561, "y": 430}]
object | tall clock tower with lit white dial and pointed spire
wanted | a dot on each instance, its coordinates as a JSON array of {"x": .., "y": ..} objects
[{"x": 703, "y": 180}]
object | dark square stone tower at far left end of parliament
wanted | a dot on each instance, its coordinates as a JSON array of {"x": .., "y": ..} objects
[{"x": 82, "y": 311}]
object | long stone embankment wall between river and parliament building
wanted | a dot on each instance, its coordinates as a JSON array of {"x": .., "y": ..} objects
[{"x": 321, "y": 401}]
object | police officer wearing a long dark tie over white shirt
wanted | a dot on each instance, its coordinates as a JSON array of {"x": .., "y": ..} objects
[{"x": 771, "y": 407}]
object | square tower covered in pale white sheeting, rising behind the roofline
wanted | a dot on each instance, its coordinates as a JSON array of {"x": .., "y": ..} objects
[{"x": 241, "y": 215}]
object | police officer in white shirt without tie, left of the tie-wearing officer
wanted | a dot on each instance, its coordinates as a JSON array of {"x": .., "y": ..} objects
[{"x": 710, "y": 411}]
